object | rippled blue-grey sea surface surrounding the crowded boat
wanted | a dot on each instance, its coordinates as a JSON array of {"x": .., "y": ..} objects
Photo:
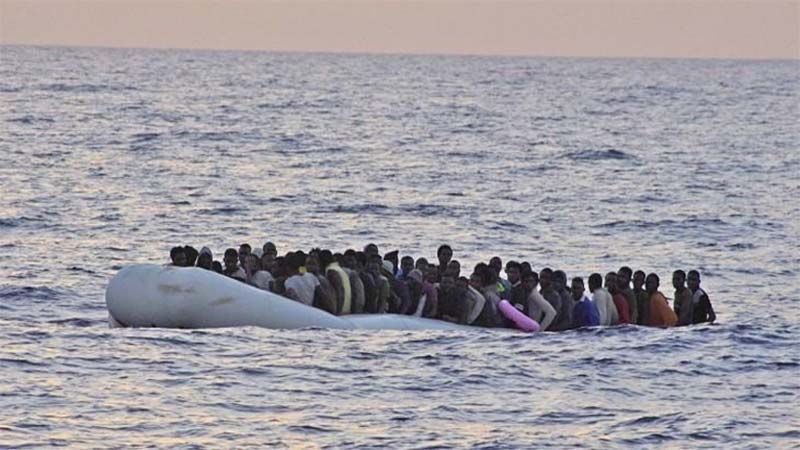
[{"x": 111, "y": 157}]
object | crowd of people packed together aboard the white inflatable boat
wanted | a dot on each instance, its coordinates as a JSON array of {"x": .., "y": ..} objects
[{"x": 359, "y": 282}]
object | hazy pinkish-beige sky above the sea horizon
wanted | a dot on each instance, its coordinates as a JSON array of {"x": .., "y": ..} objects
[{"x": 693, "y": 28}]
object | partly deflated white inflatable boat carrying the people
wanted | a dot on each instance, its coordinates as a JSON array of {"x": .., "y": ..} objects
[{"x": 149, "y": 295}]
